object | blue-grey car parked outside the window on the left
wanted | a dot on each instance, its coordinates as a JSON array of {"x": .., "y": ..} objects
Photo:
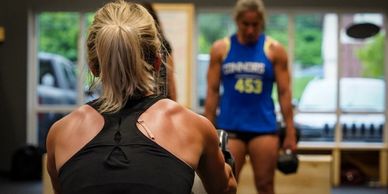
[{"x": 57, "y": 85}]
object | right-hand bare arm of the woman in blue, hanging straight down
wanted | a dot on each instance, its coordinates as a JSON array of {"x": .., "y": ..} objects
[{"x": 282, "y": 76}]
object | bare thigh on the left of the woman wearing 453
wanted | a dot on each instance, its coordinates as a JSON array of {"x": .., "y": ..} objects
[{"x": 238, "y": 149}]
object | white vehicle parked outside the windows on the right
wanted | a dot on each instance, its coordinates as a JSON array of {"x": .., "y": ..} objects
[{"x": 356, "y": 95}]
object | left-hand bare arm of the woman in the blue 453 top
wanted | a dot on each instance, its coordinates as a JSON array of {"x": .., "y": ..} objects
[{"x": 213, "y": 80}]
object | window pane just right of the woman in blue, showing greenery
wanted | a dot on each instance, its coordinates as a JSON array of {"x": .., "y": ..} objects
[{"x": 314, "y": 75}]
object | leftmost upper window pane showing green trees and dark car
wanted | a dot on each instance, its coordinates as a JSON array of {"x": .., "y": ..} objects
[{"x": 57, "y": 44}]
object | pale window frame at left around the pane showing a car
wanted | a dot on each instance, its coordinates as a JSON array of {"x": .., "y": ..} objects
[{"x": 33, "y": 107}]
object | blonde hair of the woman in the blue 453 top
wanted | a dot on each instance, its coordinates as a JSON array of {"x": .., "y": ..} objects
[{"x": 249, "y": 5}]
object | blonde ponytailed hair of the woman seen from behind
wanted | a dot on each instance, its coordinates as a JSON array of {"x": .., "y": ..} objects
[{"x": 123, "y": 43}]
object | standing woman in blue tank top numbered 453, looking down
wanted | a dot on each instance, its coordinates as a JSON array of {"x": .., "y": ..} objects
[{"x": 246, "y": 65}]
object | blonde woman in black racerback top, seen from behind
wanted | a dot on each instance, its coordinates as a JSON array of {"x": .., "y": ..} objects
[{"x": 132, "y": 140}]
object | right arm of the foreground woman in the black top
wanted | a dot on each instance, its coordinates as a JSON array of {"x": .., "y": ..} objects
[{"x": 216, "y": 175}]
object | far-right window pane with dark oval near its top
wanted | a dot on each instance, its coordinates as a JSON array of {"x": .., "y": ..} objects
[{"x": 362, "y": 88}]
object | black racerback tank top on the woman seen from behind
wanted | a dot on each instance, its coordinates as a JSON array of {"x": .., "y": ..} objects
[{"x": 122, "y": 160}]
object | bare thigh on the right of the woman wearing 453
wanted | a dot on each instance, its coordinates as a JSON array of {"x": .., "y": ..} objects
[{"x": 263, "y": 153}]
